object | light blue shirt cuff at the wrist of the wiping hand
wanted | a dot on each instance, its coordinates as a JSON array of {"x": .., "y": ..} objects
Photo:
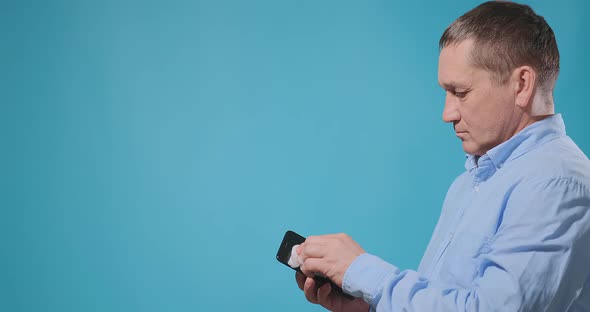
[{"x": 365, "y": 276}]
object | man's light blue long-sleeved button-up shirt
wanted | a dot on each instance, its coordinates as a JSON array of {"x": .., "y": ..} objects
[{"x": 513, "y": 235}]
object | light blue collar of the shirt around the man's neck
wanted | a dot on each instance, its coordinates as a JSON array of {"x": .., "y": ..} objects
[{"x": 518, "y": 145}]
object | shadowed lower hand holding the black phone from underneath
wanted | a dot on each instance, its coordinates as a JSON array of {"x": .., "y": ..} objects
[{"x": 324, "y": 296}]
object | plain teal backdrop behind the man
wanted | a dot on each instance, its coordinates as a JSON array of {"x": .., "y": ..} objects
[{"x": 154, "y": 152}]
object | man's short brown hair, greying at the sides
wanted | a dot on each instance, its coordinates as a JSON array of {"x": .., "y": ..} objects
[{"x": 507, "y": 35}]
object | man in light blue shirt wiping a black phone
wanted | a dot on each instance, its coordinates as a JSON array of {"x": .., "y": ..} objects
[{"x": 514, "y": 231}]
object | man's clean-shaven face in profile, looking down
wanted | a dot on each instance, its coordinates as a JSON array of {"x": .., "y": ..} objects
[{"x": 483, "y": 112}]
